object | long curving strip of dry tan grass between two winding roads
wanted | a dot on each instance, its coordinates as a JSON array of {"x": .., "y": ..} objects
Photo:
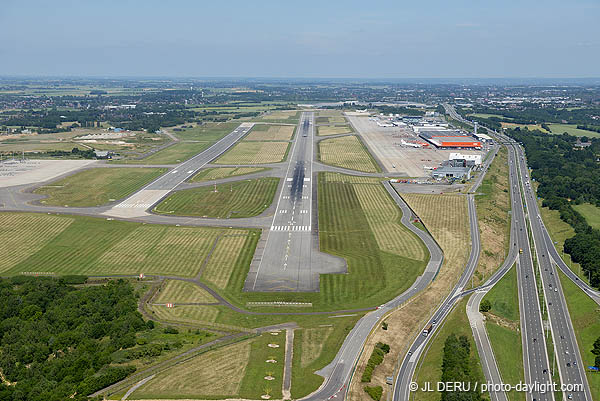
[{"x": 450, "y": 231}]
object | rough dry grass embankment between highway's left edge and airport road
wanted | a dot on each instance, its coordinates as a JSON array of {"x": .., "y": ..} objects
[{"x": 493, "y": 206}]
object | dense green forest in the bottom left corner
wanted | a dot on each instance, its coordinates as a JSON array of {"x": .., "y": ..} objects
[{"x": 57, "y": 340}]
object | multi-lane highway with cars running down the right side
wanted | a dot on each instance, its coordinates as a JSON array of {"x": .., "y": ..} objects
[{"x": 566, "y": 350}]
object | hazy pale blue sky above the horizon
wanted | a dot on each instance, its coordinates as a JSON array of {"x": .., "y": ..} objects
[{"x": 306, "y": 39}]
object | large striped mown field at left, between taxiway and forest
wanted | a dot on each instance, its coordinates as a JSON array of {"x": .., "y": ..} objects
[{"x": 91, "y": 246}]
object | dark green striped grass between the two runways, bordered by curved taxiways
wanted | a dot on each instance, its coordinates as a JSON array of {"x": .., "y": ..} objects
[{"x": 237, "y": 199}]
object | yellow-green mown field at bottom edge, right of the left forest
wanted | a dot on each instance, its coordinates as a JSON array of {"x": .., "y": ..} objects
[{"x": 214, "y": 374}]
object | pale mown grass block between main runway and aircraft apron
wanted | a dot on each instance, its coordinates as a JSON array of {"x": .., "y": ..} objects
[{"x": 347, "y": 152}]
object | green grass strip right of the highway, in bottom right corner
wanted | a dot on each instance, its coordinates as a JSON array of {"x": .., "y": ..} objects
[{"x": 585, "y": 316}]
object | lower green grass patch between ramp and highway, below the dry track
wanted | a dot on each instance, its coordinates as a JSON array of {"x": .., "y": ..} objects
[{"x": 508, "y": 351}]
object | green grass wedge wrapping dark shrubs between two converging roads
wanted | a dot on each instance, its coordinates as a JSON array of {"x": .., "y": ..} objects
[{"x": 430, "y": 365}]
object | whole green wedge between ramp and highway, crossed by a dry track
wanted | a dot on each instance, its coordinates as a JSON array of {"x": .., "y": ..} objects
[{"x": 502, "y": 323}]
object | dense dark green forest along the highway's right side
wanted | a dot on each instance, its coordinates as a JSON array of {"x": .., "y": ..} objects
[{"x": 567, "y": 175}]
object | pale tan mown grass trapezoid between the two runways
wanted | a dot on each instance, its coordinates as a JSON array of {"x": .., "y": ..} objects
[{"x": 255, "y": 153}]
